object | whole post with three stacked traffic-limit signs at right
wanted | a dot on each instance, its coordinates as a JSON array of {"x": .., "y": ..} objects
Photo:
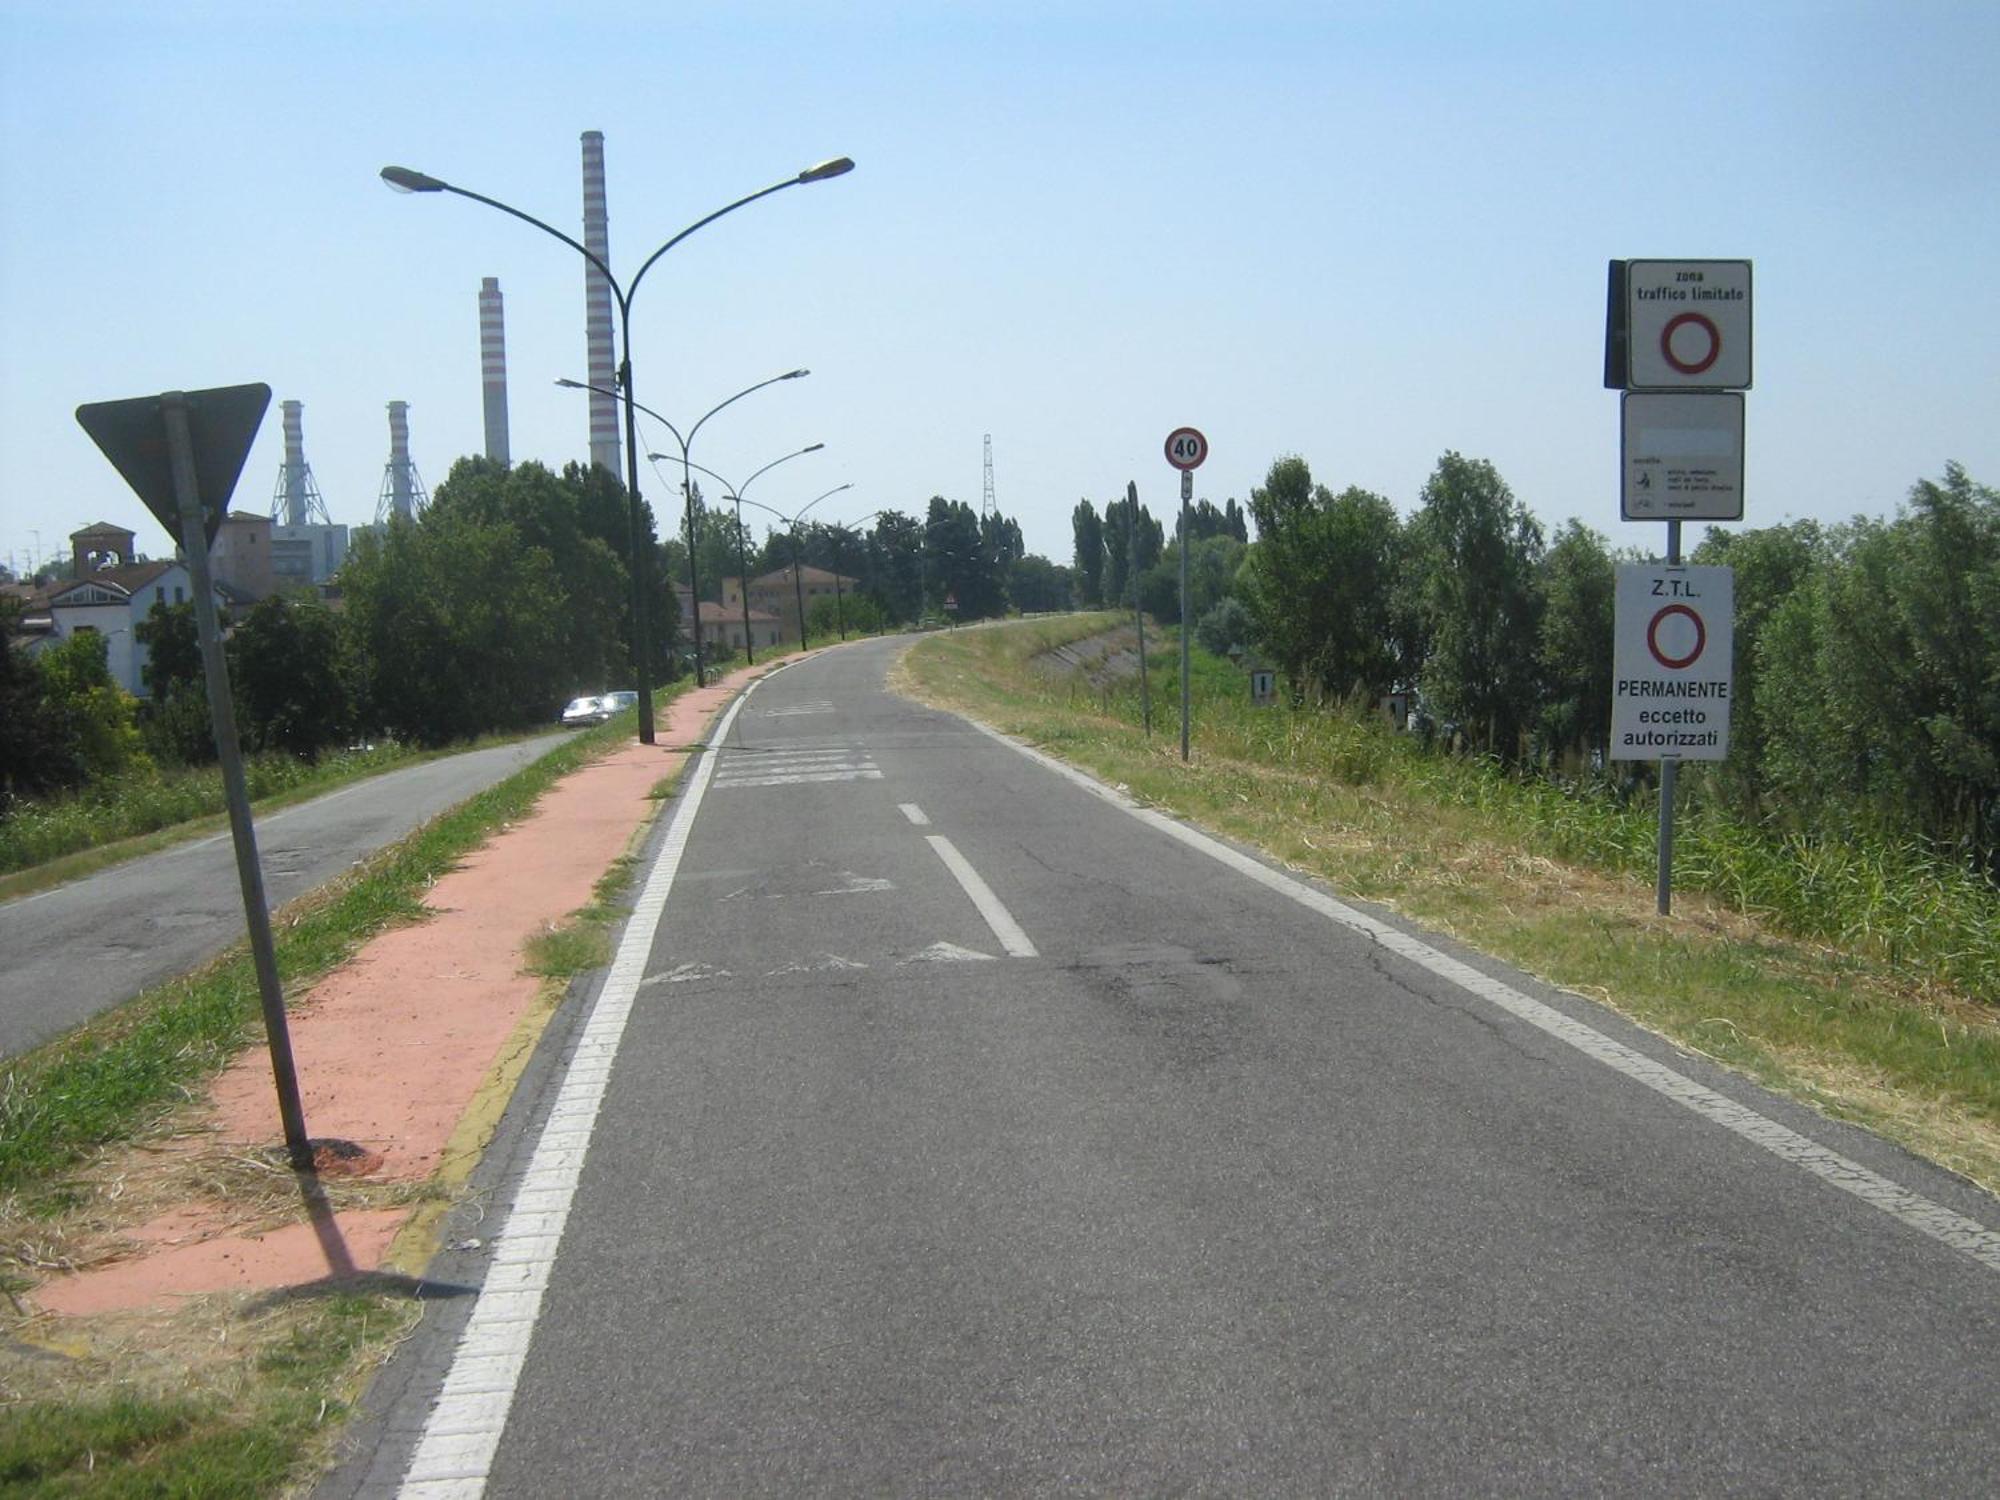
[{"x": 1677, "y": 343}]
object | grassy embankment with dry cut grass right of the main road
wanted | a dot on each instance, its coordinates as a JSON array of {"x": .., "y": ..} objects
[{"x": 1863, "y": 981}]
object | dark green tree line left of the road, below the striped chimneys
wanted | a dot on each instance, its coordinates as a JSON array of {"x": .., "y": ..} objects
[{"x": 507, "y": 597}]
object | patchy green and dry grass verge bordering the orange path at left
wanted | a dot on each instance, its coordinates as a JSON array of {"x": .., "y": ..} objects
[{"x": 219, "y": 1399}]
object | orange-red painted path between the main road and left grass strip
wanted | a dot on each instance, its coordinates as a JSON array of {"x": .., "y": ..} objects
[{"x": 409, "y": 1053}]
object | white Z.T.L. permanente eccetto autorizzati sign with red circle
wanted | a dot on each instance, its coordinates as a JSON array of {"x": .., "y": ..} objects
[{"x": 1673, "y": 663}]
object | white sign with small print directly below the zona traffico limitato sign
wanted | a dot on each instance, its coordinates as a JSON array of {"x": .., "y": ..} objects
[{"x": 1683, "y": 455}]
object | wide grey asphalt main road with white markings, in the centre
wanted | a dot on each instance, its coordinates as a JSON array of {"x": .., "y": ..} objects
[{"x": 959, "y": 1131}]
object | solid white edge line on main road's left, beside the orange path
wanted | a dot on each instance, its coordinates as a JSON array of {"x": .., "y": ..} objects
[{"x": 463, "y": 1431}]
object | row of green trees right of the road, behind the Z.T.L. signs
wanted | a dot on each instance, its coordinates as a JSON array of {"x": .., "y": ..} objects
[{"x": 1867, "y": 677}]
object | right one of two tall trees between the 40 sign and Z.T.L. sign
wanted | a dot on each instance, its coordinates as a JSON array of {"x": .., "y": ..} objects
[{"x": 1477, "y": 567}]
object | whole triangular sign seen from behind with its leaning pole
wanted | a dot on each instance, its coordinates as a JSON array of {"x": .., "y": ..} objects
[{"x": 183, "y": 453}]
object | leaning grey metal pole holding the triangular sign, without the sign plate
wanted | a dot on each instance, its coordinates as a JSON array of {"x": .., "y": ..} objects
[{"x": 223, "y": 709}]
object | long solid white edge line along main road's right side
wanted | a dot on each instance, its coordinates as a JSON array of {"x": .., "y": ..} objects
[{"x": 1919, "y": 1213}]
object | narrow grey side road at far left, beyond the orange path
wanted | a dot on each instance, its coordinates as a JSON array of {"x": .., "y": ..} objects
[{"x": 81, "y": 949}]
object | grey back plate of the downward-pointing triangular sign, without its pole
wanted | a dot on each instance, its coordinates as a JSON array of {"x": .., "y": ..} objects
[{"x": 221, "y": 423}]
